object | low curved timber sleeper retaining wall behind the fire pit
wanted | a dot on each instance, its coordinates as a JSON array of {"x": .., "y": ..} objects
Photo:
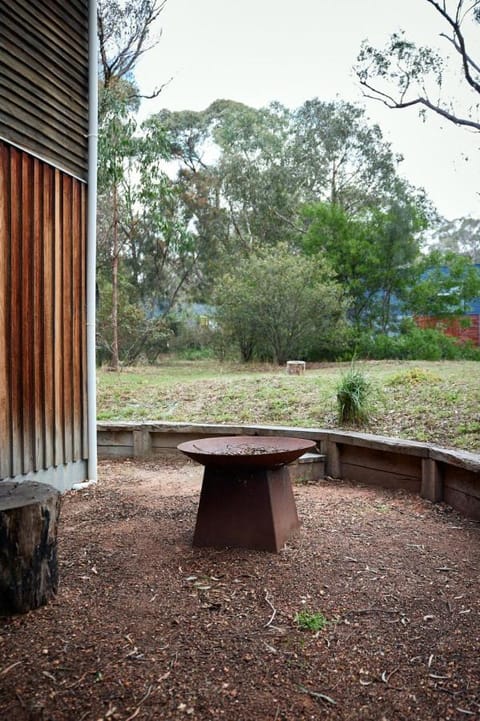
[{"x": 437, "y": 474}]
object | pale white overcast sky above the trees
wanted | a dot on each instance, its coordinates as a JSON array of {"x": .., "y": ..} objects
[{"x": 257, "y": 51}]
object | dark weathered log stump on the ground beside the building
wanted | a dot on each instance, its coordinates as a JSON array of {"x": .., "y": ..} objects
[{"x": 28, "y": 545}]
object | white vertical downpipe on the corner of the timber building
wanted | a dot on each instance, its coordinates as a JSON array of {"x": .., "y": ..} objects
[{"x": 92, "y": 240}]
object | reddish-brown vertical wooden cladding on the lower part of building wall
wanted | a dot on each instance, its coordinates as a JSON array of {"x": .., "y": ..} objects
[{"x": 42, "y": 315}]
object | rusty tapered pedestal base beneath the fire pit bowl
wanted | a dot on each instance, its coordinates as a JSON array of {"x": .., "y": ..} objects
[{"x": 246, "y": 508}]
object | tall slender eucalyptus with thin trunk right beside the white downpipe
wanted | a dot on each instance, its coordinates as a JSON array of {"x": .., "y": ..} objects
[{"x": 126, "y": 30}]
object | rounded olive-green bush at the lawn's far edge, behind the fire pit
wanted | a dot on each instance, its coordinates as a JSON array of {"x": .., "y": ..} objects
[{"x": 277, "y": 304}]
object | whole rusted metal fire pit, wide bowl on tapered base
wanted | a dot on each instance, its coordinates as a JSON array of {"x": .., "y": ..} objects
[{"x": 246, "y": 499}]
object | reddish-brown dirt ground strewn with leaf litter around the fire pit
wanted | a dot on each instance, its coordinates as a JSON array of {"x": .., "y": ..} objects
[{"x": 145, "y": 626}]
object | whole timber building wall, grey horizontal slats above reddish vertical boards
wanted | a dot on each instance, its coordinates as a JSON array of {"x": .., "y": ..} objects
[{"x": 43, "y": 229}]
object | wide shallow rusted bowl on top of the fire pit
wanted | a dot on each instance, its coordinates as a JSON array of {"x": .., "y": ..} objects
[{"x": 246, "y": 451}]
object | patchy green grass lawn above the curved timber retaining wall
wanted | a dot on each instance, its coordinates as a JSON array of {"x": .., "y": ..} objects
[{"x": 438, "y": 402}]
